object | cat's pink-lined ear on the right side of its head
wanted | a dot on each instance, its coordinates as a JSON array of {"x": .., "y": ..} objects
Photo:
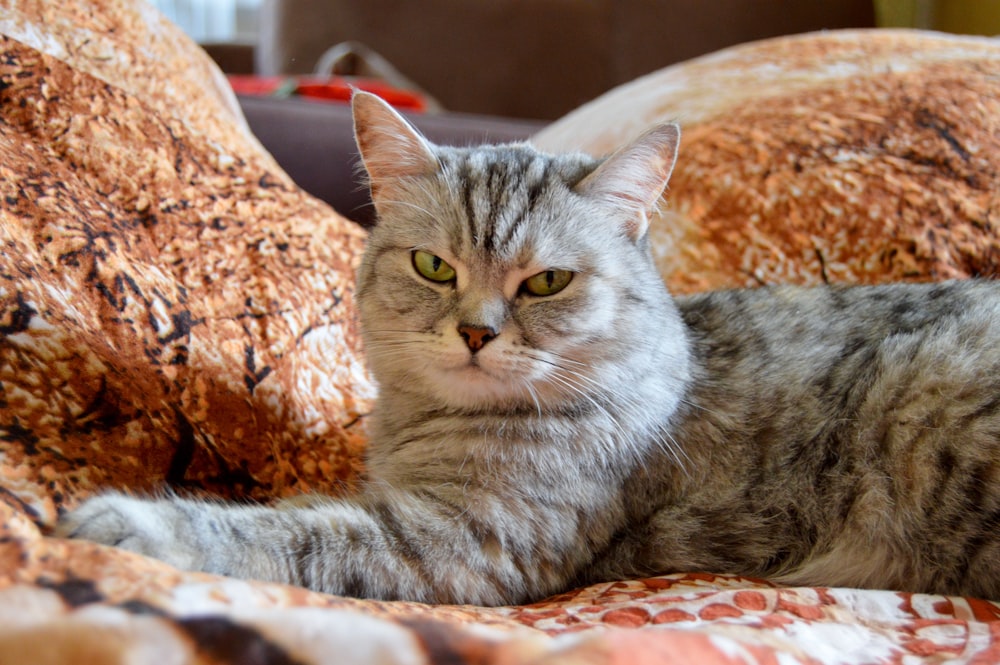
[{"x": 635, "y": 176}]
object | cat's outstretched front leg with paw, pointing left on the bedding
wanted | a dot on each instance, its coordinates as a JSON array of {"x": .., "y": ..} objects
[{"x": 385, "y": 543}]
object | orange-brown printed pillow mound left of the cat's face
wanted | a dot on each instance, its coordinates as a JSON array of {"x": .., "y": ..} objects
[{"x": 174, "y": 310}]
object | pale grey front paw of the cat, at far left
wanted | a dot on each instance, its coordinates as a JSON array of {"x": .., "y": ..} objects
[{"x": 156, "y": 528}]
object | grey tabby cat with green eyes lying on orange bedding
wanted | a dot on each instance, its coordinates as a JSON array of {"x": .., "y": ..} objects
[{"x": 549, "y": 416}]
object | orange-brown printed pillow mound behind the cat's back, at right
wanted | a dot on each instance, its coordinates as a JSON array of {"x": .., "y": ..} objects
[{"x": 853, "y": 156}]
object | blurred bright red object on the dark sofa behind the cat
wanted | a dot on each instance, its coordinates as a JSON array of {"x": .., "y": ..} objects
[{"x": 331, "y": 89}]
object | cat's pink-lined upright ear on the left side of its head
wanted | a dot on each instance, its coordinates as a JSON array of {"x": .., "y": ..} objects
[{"x": 390, "y": 147}]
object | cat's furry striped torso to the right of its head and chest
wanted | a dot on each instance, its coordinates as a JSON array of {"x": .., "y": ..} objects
[{"x": 868, "y": 417}]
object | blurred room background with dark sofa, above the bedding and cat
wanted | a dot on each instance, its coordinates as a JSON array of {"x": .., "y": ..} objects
[{"x": 470, "y": 71}]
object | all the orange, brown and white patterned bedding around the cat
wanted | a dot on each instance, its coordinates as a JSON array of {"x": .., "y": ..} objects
[{"x": 175, "y": 312}]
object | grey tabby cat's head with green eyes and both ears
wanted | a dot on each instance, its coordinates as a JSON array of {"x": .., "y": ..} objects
[{"x": 502, "y": 275}]
